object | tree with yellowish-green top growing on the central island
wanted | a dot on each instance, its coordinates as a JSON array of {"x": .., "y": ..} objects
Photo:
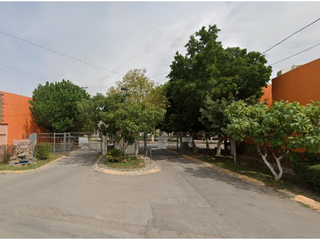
[{"x": 141, "y": 108}]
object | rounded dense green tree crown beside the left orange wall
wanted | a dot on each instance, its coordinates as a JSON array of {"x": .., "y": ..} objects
[{"x": 54, "y": 106}]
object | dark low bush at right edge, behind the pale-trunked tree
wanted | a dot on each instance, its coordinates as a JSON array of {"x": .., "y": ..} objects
[{"x": 308, "y": 171}]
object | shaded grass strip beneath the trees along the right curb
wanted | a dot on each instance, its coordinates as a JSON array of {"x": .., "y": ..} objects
[{"x": 262, "y": 173}]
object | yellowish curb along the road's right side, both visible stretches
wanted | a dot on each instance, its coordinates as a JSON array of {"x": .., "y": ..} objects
[{"x": 298, "y": 198}]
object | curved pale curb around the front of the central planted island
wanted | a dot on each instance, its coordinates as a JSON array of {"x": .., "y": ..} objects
[{"x": 125, "y": 173}]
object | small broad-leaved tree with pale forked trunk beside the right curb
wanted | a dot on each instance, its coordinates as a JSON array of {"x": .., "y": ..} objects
[{"x": 270, "y": 128}]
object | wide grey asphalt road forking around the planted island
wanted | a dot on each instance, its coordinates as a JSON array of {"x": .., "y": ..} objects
[{"x": 69, "y": 199}]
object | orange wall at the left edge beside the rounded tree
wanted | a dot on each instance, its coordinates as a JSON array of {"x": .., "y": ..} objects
[{"x": 17, "y": 115}]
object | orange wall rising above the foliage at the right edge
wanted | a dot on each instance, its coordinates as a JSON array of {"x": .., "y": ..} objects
[{"x": 301, "y": 84}]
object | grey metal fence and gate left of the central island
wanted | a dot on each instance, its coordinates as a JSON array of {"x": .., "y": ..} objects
[{"x": 70, "y": 141}]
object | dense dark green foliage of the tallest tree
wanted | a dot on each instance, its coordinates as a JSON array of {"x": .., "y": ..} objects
[{"x": 209, "y": 70}]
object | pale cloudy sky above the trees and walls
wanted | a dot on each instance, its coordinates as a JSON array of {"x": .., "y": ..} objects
[{"x": 120, "y": 36}]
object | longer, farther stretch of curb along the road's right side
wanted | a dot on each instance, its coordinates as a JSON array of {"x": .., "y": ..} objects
[{"x": 219, "y": 169}]
